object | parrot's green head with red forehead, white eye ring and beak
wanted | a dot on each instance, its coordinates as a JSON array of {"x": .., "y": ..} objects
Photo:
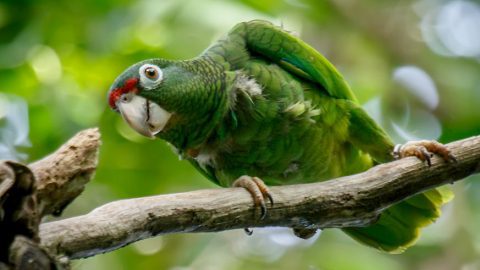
[{"x": 178, "y": 101}]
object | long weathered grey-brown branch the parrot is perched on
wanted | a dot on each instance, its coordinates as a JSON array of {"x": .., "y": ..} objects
[{"x": 347, "y": 201}]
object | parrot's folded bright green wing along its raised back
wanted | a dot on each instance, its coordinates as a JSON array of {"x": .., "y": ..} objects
[{"x": 261, "y": 39}]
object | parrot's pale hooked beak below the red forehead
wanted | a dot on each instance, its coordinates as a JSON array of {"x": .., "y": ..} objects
[{"x": 144, "y": 116}]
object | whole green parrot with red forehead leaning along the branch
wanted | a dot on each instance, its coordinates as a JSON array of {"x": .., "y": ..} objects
[{"x": 261, "y": 107}]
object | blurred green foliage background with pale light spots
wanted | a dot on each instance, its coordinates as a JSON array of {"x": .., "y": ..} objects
[{"x": 414, "y": 64}]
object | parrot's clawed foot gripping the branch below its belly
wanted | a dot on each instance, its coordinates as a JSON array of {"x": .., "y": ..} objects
[{"x": 259, "y": 191}]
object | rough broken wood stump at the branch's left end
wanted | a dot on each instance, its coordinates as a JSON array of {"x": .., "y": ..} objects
[{"x": 27, "y": 193}]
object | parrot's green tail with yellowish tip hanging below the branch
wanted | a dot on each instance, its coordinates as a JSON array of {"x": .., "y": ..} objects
[{"x": 399, "y": 226}]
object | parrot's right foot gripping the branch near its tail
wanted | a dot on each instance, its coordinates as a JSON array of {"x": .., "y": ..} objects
[{"x": 423, "y": 150}]
